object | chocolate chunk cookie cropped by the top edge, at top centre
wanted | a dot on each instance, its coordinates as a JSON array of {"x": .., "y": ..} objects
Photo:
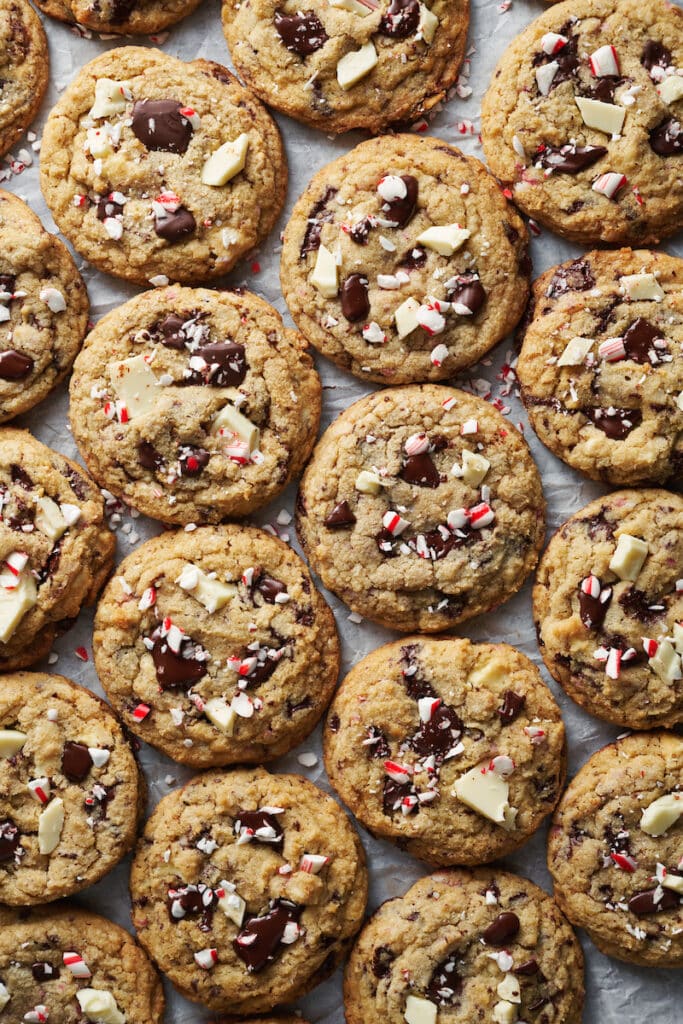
[{"x": 349, "y": 64}]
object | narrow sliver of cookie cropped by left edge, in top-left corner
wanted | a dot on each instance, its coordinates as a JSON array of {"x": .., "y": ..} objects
[{"x": 24, "y": 70}]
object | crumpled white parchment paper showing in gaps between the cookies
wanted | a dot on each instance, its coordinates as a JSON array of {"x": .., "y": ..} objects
[{"x": 617, "y": 994}]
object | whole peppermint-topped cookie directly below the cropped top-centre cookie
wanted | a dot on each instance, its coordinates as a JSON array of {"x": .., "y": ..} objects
[{"x": 404, "y": 263}]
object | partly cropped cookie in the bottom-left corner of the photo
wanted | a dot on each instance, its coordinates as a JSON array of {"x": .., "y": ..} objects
[{"x": 65, "y": 964}]
